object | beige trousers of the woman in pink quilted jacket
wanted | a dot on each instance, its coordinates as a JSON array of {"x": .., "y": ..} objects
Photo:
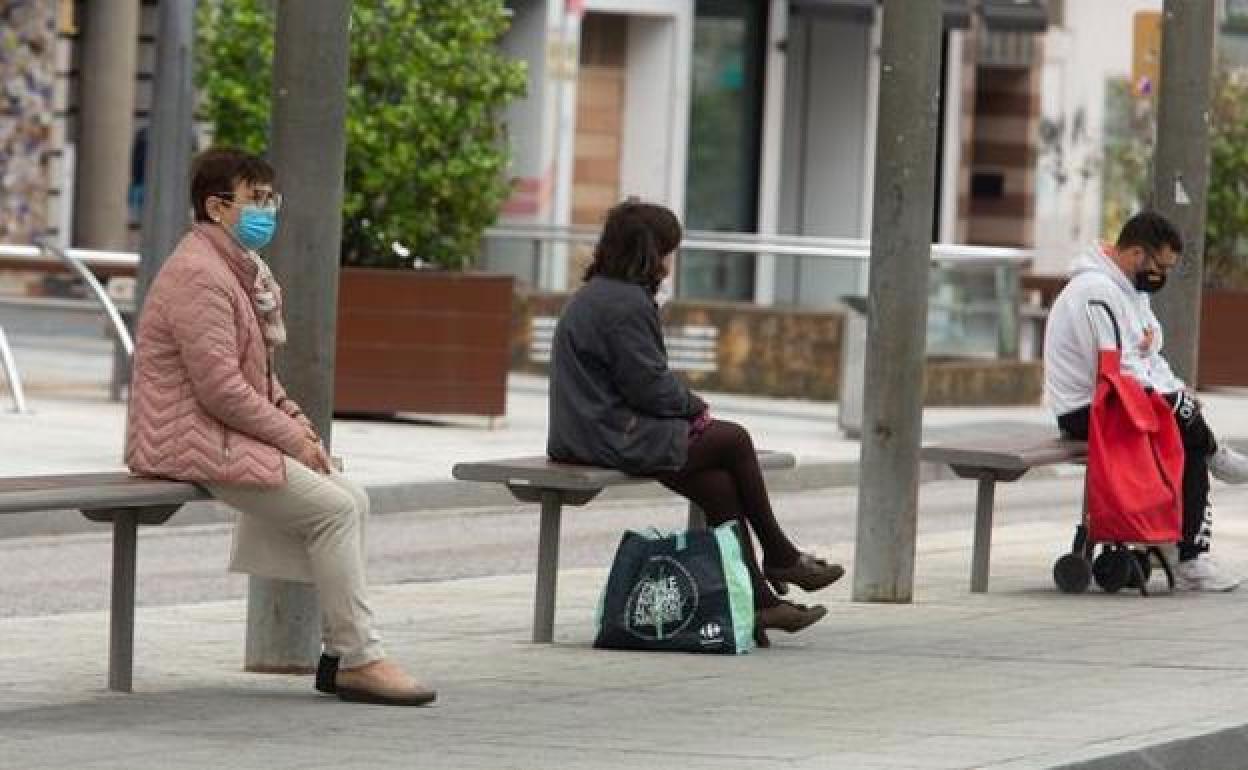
[{"x": 326, "y": 516}]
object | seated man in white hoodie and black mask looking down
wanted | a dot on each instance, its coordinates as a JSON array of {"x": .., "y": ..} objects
[{"x": 1116, "y": 280}]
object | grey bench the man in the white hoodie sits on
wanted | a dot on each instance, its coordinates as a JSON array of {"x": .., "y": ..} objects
[{"x": 1002, "y": 459}]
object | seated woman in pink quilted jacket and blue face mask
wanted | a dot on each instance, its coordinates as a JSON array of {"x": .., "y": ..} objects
[{"x": 207, "y": 407}]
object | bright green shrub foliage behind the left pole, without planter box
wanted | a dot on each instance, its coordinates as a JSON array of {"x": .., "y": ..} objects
[{"x": 426, "y": 149}]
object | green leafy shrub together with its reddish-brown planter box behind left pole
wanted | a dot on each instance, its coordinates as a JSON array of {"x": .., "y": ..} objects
[{"x": 425, "y": 177}]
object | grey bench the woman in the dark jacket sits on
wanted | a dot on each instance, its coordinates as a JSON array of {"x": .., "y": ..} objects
[{"x": 539, "y": 480}]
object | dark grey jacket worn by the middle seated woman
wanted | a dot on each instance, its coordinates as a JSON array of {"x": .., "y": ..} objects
[{"x": 613, "y": 400}]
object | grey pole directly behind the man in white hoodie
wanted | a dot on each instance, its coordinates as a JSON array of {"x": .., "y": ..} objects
[{"x": 1181, "y": 169}]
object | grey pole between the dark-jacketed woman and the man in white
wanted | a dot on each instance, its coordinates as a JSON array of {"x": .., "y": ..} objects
[{"x": 902, "y": 229}]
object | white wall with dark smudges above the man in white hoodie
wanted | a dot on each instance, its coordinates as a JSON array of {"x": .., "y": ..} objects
[{"x": 1095, "y": 46}]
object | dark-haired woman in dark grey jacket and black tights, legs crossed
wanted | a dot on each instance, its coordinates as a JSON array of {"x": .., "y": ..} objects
[{"x": 616, "y": 404}]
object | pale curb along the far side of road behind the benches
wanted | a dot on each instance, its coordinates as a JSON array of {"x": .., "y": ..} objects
[{"x": 447, "y": 496}]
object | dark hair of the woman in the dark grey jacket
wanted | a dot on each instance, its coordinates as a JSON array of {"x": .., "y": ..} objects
[{"x": 636, "y": 239}]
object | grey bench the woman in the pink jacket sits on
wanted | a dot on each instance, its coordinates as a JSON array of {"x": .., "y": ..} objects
[{"x": 124, "y": 500}]
